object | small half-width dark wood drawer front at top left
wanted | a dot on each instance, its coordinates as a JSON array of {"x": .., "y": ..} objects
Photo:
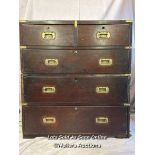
[{"x": 55, "y": 35}]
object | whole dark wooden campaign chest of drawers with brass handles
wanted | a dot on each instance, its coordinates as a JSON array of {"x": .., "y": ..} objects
[{"x": 75, "y": 77}]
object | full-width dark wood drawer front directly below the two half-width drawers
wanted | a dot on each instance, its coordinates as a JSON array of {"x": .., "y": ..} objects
[{"x": 75, "y": 61}]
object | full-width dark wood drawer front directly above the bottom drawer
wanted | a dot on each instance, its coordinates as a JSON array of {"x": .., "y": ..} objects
[{"x": 76, "y": 90}]
